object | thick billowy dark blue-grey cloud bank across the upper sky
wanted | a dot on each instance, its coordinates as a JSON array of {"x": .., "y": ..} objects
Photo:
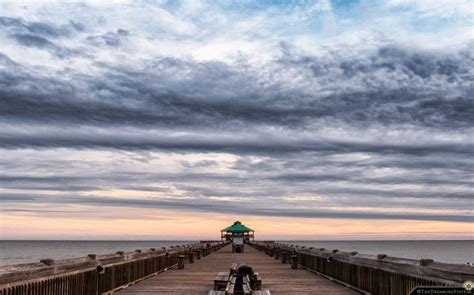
[{"x": 390, "y": 87}]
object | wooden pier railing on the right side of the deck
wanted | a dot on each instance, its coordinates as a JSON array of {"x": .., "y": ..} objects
[{"x": 373, "y": 274}]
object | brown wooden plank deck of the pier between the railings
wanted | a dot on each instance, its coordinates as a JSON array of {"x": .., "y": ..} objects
[{"x": 198, "y": 278}]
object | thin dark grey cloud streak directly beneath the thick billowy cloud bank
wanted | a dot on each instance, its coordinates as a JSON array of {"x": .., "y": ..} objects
[{"x": 239, "y": 143}]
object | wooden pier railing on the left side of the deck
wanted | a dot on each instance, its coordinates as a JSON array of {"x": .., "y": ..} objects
[{"x": 96, "y": 275}]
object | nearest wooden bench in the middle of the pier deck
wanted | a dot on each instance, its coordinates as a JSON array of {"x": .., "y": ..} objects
[{"x": 239, "y": 280}]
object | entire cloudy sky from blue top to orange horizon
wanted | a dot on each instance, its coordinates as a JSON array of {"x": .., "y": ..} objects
[{"x": 172, "y": 119}]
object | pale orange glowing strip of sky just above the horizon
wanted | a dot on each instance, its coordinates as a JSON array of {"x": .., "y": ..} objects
[{"x": 167, "y": 224}]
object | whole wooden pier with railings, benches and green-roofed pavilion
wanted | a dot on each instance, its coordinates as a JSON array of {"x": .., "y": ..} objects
[{"x": 235, "y": 265}]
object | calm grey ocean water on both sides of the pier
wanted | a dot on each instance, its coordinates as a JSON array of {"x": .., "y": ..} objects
[{"x": 17, "y": 252}]
